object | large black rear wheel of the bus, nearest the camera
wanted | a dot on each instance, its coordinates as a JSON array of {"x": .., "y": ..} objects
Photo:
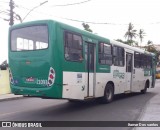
[{"x": 108, "y": 94}]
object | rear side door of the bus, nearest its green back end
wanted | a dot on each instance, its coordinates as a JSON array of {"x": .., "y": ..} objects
[{"x": 90, "y": 61}]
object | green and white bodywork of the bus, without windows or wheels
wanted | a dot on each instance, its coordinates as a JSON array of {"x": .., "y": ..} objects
[{"x": 32, "y": 70}]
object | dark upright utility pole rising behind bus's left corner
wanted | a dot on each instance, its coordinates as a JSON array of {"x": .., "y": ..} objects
[{"x": 11, "y": 4}]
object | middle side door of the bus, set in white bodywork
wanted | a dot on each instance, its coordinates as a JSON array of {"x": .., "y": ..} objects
[{"x": 129, "y": 70}]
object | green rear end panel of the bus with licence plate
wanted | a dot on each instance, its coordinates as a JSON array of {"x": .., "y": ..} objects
[{"x": 33, "y": 68}]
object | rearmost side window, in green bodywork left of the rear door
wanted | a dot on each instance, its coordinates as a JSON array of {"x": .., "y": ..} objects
[{"x": 73, "y": 47}]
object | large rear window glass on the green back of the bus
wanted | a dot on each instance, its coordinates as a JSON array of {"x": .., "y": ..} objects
[{"x": 29, "y": 38}]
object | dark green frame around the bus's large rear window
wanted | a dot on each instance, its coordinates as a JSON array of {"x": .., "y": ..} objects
[{"x": 25, "y": 26}]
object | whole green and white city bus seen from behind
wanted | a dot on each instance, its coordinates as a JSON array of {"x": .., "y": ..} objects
[{"x": 50, "y": 59}]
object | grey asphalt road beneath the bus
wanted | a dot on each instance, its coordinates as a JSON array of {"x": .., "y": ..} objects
[{"x": 124, "y": 108}]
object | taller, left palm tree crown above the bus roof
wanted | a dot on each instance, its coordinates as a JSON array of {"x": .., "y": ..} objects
[{"x": 131, "y": 32}]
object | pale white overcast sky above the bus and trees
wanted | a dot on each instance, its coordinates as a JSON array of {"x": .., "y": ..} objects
[{"x": 113, "y": 17}]
